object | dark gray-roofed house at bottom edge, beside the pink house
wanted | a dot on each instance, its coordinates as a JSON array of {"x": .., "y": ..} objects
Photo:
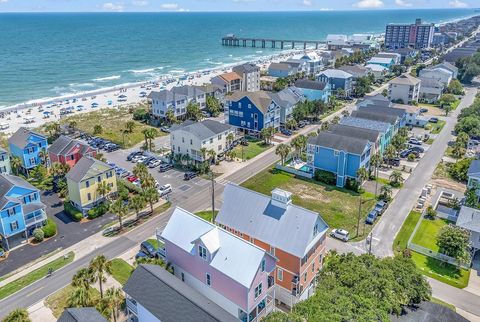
[{"x": 154, "y": 294}]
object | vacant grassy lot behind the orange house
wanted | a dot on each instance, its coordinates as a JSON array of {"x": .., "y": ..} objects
[{"x": 337, "y": 206}]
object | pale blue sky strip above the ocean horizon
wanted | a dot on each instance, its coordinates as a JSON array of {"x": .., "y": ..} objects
[{"x": 222, "y": 5}]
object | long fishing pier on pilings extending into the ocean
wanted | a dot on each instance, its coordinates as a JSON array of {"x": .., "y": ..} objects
[{"x": 234, "y": 41}]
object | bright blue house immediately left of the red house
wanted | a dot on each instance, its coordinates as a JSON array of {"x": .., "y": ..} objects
[{"x": 27, "y": 145}]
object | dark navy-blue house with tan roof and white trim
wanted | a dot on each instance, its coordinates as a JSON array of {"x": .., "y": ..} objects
[{"x": 252, "y": 111}]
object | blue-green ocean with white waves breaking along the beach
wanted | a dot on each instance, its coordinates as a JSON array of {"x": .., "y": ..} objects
[{"x": 48, "y": 55}]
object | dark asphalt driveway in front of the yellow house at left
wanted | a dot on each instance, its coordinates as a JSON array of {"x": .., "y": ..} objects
[{"x": 69, "y": 233}]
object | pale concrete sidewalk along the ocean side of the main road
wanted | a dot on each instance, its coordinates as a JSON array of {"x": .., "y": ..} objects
[{"x": 81, "y": 249}]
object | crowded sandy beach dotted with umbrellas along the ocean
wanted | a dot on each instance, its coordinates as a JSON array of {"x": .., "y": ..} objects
[{"x": 38, "y": 112}]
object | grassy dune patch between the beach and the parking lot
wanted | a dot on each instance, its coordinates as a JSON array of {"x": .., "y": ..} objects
[{"x": 113, "y": 122}]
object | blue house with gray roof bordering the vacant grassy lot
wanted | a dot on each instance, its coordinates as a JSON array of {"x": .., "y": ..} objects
[{"x": 338, "y": 154}]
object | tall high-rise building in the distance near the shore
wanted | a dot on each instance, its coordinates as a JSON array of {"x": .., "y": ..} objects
[{"x": 416, "y": 35}]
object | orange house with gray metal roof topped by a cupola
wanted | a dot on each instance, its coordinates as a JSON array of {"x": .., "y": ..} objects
[{"x": 265, "y": 221}]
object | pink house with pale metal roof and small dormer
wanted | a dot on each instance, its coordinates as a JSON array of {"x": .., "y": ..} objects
[{"x": 228, "y": 270}]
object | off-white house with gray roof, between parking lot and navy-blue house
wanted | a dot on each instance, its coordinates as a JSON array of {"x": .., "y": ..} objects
[{"x": 191, "y": 138}]
